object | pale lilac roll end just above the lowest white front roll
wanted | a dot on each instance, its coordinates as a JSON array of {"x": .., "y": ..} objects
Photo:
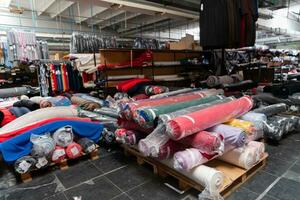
[{"x": 190, "y": 158}]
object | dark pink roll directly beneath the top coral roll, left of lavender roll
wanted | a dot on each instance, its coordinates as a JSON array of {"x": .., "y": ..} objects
[{"x": 205, "y": 142}]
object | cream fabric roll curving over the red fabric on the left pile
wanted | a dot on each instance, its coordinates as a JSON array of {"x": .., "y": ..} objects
[{"x": 38, "y": 115}]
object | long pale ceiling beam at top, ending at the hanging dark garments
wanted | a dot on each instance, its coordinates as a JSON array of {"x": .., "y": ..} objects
[{"x": 145, "y": 8}]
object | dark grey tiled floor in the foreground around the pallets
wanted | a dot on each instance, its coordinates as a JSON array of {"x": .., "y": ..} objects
[{"x": 114, "y": 176}]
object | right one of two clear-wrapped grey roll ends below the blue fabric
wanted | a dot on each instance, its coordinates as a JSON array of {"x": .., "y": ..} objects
[{"x": 63, "y": 136}]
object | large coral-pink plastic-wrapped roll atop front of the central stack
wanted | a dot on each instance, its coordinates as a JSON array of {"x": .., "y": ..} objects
[{"x": 191, "y": 123}]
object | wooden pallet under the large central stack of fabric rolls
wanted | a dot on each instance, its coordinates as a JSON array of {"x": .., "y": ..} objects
[{"x": 234, "y": 176}]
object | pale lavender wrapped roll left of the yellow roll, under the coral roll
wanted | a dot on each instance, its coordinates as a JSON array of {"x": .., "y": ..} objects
[{"x": 233, "y": 136}]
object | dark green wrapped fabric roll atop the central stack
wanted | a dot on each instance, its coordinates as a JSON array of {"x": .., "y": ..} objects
[{"x": 146, "y": 116}]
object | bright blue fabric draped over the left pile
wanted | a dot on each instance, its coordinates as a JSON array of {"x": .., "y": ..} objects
[{"x": 20, "y": 145}]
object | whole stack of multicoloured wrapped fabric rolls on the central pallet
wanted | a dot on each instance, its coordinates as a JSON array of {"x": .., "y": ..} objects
[{"x": 187, "y": 128}]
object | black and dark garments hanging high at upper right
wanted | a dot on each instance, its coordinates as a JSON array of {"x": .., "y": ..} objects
[{"x": 228, "y": 23}]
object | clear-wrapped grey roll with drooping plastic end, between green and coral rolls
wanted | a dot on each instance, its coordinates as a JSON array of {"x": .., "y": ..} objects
[{"x": 151, "y": 144}]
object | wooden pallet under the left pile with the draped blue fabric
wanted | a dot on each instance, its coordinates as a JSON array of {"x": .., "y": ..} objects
[{"x": 63, "y": 165}]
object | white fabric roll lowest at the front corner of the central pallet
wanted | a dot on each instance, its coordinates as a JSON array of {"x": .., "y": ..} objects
[{"x": 208, "y": 177}]
